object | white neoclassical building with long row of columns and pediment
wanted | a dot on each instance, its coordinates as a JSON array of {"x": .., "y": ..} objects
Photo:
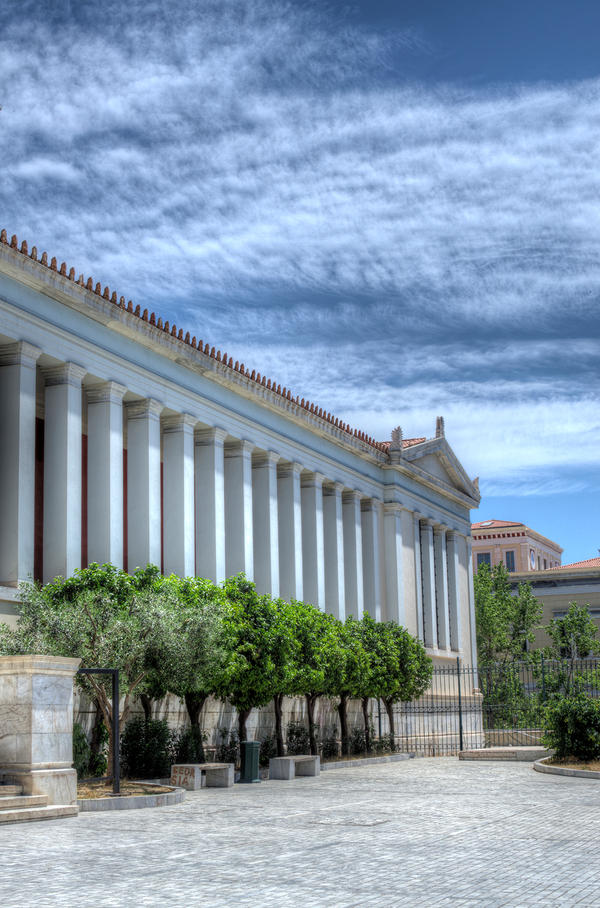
[{"x": 122, "y": 439}]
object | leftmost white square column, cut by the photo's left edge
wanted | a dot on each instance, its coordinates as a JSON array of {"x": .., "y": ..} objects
[{"x": 17, "y": 461}]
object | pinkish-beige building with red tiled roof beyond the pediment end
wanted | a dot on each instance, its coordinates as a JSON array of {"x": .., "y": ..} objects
[{"x": 513, "y": 544}]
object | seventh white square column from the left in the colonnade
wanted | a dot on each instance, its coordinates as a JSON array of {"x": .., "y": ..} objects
[{"x": 239, "y": 542}]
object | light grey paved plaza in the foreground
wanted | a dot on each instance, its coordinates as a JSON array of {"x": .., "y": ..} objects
[{"x": 423, "y": 832}]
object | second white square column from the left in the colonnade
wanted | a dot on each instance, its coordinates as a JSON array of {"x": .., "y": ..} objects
[{"x": 62, "y": 470}]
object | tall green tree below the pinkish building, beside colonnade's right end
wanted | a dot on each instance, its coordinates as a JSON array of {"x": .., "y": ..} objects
[{"x": 504, "y": 622}]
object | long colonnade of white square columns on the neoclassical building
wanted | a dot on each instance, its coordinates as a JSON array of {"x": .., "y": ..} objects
[{"x": 153, "y": 486}]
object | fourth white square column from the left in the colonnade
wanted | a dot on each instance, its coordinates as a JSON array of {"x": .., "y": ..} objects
[{"x": 143, "y": 483}]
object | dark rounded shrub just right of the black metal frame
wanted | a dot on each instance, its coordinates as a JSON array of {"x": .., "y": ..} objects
[{"x": 147, "y": 749}]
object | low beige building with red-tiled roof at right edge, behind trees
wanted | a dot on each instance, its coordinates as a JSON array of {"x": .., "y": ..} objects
[{"x": 556, "y": 588}]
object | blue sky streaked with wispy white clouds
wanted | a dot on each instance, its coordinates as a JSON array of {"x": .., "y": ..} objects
[{"x": 390, "y": 207}]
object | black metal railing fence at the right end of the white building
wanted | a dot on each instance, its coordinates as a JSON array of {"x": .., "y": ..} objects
[{"x": 498, "y": 705}]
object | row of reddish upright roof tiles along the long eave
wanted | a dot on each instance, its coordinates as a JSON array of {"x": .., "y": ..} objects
[{"x": 222, "y": 358}]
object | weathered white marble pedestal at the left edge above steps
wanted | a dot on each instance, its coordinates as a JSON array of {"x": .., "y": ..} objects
[{"x": 36, "y": 722}]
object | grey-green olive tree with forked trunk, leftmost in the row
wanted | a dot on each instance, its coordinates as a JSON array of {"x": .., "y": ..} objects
[{"x": 106, "y": 625}]
